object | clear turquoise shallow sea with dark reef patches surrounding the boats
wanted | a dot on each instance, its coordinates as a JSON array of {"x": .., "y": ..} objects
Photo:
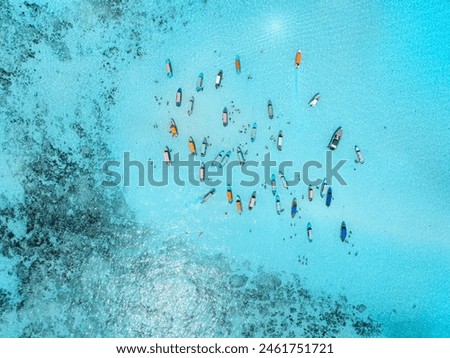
[{"x": 78, "y": 88}]
